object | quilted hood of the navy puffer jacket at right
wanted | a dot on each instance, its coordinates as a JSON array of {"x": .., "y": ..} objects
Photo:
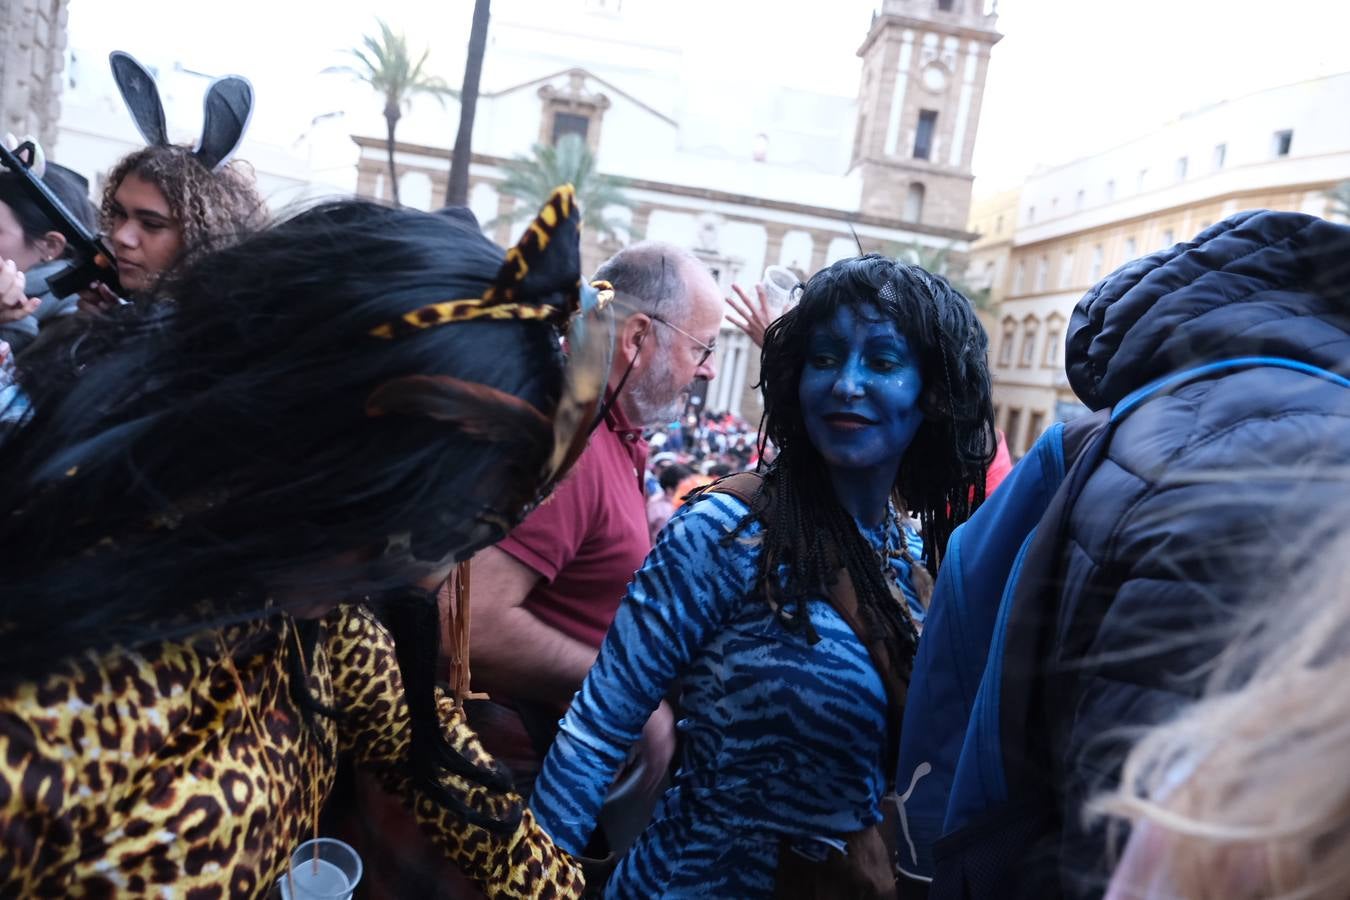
[{"x": 1258, "y": 284}]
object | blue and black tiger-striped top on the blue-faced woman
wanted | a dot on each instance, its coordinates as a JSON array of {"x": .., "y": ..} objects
[{"x": 780, "y": 737}]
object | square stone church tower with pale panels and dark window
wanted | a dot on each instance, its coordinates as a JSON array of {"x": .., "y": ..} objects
[{"x": 924, "y": 69}]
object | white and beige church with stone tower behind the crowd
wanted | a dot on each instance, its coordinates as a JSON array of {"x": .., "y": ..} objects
[{"x": 743, "y": 179}]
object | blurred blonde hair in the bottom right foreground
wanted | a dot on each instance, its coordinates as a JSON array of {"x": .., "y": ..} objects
[{"x": 1247, "y": 794}]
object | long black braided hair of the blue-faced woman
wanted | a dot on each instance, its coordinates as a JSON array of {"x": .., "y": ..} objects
[{"x": 808, "y": 535}]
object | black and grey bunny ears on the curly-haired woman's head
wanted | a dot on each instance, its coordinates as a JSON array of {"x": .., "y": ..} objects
[{"x": 227, "y": 109}]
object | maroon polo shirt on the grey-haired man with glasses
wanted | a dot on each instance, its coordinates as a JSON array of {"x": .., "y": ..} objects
[{"x": 589, "y": 538}]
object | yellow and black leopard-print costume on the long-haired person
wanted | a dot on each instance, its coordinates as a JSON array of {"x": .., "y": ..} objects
[{"x": 151, "y": 774}]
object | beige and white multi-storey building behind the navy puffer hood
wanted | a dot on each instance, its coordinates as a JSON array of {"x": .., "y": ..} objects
[{"x": 1279, "y": 149}]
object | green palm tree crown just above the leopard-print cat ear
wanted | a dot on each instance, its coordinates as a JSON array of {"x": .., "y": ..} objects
[{"x": 533, "y": 179}]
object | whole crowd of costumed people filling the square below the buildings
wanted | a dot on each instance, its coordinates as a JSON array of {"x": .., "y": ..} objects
[{"x": 350, "y": 523}]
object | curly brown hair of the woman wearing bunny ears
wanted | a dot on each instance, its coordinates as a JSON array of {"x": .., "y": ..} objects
[{"x": 214, "y": 208}]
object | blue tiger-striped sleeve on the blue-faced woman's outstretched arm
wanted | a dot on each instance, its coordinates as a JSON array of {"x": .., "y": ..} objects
[{"x": 681, "y": 597}]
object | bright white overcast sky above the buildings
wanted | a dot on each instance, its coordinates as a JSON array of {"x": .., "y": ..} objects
[{"x": 1069, "y": 79}]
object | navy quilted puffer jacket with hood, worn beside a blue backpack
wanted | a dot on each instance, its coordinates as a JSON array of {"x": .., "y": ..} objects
[{"x": 1212, "y": 497}]
